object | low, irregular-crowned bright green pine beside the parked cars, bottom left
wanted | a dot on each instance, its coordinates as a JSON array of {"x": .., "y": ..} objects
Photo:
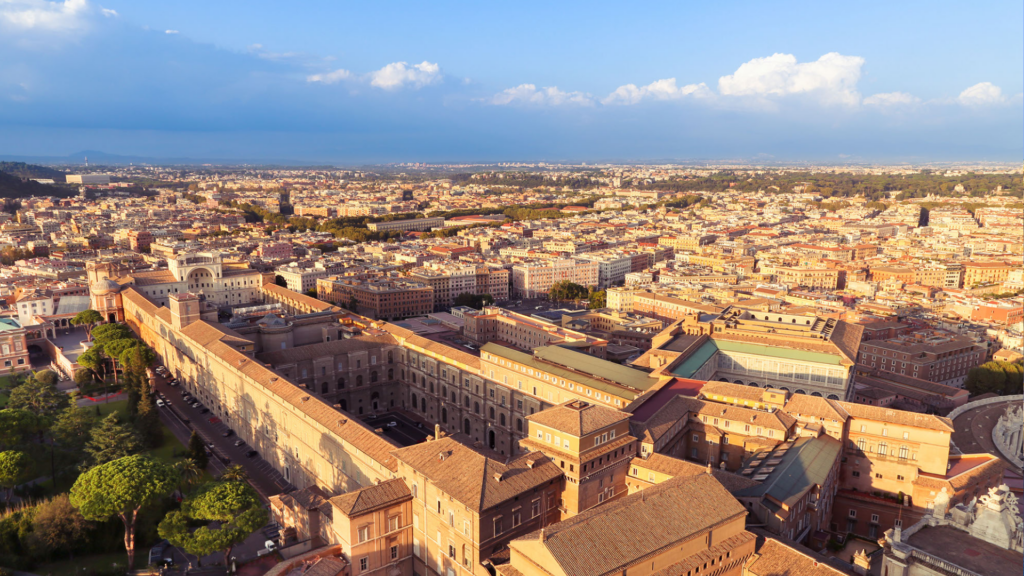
[{"x": 235, "y": 506}]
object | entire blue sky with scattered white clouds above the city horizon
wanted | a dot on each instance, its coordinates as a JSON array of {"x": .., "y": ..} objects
[{"x": 369, "y": 83}]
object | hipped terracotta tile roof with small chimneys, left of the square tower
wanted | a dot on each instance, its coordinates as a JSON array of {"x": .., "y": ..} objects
[{"x": 474, "y": 479}]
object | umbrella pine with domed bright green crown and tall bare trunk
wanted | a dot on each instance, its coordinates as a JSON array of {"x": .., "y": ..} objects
[{"x": 122, "y": 488}]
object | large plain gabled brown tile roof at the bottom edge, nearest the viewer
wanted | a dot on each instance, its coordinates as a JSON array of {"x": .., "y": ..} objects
[{"x": 610, "y": 539}]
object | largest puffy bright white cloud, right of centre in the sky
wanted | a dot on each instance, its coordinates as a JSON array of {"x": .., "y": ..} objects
[{"x": 833, "y": 78}]
